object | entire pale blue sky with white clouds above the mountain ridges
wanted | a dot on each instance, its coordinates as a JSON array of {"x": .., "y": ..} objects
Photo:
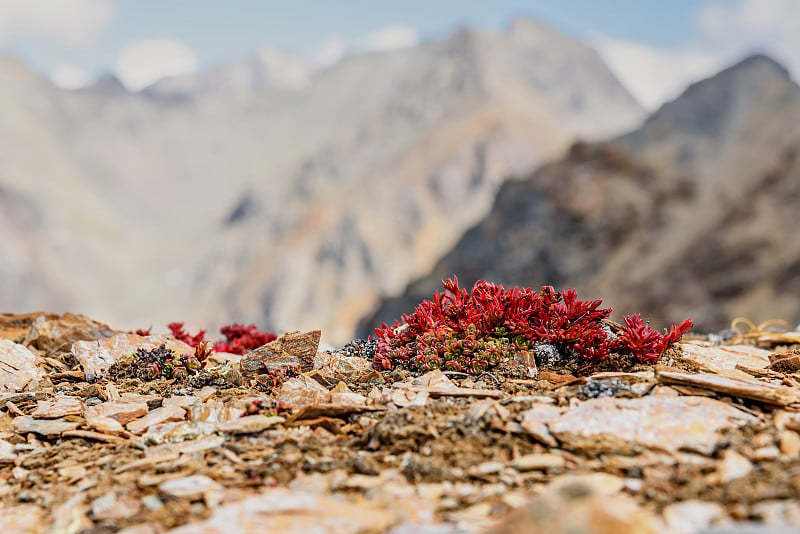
[{"x": 649, "y": 44}]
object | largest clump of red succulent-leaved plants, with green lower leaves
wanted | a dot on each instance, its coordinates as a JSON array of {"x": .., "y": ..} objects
[{"x": 474, "y": 331}]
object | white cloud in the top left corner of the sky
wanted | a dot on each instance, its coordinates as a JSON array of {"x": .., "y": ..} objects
[{"x": 70, "y": 23}]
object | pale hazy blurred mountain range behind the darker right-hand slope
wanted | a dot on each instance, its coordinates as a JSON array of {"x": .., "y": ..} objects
[{"x": 267, "y": 191}]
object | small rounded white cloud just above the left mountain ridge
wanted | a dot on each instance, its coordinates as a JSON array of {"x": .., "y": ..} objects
[{"x": 144, "y": 62}]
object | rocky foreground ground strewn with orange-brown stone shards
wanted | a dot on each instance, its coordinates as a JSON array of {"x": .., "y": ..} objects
[{"x": 707, "y": 440}]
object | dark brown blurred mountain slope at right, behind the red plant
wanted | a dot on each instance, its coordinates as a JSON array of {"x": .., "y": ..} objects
[{"x": 692, "y": 214}]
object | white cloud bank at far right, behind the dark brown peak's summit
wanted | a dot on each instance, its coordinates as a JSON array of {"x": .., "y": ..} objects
[{"x": 725, "y": 32}]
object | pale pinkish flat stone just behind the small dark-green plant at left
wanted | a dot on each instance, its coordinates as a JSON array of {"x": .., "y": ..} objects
[{"x": 96, "y": 357}]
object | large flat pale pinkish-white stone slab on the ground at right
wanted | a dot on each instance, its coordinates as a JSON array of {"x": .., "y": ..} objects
[{"x": 629, "y": 426}]
